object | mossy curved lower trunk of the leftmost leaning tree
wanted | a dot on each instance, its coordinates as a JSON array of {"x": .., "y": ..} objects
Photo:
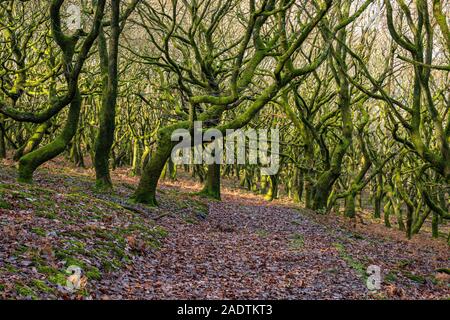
[{"x": 31, "y": 161}]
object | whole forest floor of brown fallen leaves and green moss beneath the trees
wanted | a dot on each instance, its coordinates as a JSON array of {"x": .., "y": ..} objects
[{"x": 192, "y": 248}]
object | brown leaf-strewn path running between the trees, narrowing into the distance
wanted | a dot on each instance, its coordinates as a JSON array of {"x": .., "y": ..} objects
[{"x": 247, "y": 250}]
